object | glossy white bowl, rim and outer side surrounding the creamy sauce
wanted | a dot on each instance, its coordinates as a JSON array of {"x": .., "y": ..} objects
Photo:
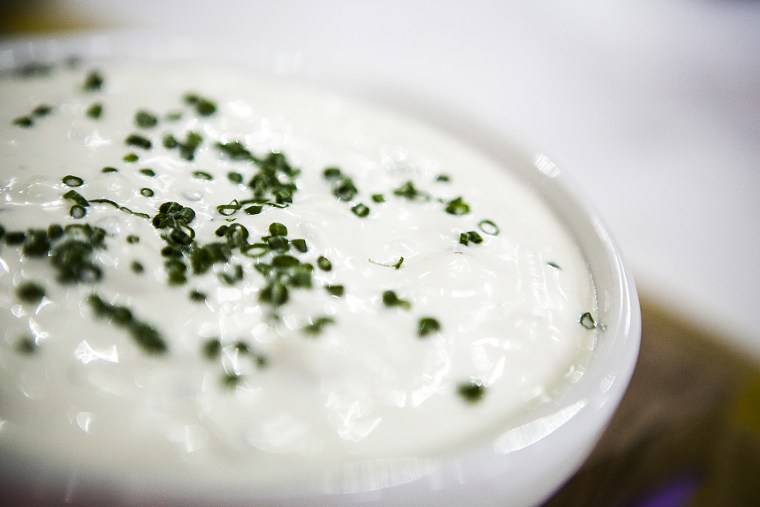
[{"x": 522, "y": 464}]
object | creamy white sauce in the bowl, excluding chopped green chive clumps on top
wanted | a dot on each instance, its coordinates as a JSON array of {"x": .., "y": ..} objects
[{"x": 275, "y": 396}]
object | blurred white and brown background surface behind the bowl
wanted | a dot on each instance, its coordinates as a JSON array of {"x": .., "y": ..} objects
[{"x": 653, "y": 107}]
